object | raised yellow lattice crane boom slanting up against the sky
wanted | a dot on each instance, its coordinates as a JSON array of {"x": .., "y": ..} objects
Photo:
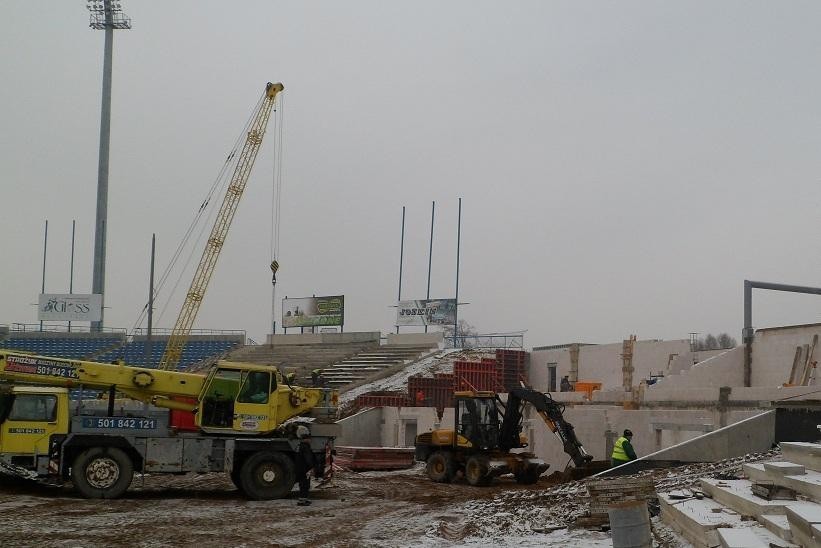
[{"x": 208, "y": 261}]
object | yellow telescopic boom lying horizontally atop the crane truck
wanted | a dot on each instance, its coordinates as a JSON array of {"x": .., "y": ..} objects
[{"x": 148, "y": 385}]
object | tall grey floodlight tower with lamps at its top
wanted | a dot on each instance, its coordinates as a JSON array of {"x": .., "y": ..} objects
[{"x": 105, "y": 15}]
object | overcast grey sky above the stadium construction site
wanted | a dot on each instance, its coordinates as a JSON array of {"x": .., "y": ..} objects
[{"x": 624, "y": 166}]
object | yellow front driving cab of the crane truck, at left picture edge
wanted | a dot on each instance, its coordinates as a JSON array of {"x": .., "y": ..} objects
[{"x": 29, "y": 417}]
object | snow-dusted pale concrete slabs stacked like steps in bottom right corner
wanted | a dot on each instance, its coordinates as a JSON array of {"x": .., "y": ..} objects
[{"x": 727, "y": 513}]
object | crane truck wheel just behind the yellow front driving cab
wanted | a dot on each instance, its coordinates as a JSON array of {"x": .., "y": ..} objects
[{"x": 102, "y": 473}]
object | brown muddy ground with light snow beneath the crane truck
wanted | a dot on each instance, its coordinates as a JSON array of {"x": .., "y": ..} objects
[{"x": 366, "y": 509}]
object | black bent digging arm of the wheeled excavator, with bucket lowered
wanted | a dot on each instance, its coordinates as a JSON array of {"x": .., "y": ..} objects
[{"x": 553, "y": 415}]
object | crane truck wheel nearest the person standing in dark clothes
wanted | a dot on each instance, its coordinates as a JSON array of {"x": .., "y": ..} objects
[{"x": 267, "y": 475}]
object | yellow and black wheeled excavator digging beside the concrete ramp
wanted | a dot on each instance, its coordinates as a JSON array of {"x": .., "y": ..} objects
[{"x": 486, "y": 430}]
